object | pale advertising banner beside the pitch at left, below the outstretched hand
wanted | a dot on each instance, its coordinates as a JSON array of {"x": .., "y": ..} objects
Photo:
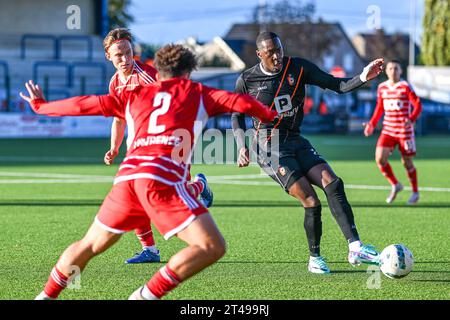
[{"x": 33, "y": 126}]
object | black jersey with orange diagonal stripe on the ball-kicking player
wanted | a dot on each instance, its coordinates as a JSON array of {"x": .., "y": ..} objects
[{"x": 285, "y": 91}]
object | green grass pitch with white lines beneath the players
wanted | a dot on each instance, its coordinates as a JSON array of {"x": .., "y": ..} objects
[{"x": 41, "y": 213}]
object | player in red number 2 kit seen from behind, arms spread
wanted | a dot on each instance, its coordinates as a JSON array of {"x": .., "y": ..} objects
[{"x": 151, "y": 181}]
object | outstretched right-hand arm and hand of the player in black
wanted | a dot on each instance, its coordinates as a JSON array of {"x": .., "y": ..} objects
[{"x": 316, "y": 76}]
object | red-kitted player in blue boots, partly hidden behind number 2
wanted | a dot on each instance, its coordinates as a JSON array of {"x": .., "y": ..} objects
[{"x": 131, "y": 74}]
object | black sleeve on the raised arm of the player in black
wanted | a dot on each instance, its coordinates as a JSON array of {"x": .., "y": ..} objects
[{"x": 318, "y": 77}]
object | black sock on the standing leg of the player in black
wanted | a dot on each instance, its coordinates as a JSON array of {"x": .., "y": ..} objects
[{"x": 313, "y": 228}]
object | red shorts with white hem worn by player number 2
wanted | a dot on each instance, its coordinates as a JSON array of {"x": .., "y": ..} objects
[{"x": 132, "y": 204}]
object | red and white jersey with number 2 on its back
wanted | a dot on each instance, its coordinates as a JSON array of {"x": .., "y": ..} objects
[{"x": 165, "y": 118}]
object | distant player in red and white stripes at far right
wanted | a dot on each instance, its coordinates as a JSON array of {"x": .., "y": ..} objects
[{"x": 395, "y": 98}]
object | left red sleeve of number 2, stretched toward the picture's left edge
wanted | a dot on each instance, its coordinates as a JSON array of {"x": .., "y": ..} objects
[{"x": 105, "y": 105}]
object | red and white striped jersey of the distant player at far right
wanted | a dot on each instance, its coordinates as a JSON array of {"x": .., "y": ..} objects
[{"x": 395, "y": 100}]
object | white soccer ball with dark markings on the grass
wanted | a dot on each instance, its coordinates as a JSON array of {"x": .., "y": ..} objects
[{"x": 396, "y": 261}]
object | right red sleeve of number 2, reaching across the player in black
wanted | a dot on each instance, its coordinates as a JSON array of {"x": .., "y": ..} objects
[{"x": 219, "y": 101}]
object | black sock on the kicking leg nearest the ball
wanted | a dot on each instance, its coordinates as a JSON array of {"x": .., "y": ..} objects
[{"x": 341, "y": 209}]
